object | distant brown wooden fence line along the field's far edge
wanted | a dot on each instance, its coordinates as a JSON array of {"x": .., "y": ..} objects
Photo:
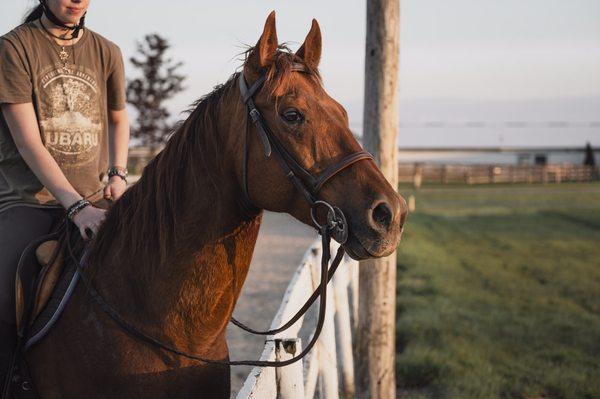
[{"x": 488, "y": 174}]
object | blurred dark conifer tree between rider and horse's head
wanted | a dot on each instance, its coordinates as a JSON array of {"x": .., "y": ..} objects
[{"x": 159, "y": 82}]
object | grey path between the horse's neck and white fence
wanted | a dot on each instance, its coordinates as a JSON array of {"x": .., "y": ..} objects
[{"x": 281, "y": 245}]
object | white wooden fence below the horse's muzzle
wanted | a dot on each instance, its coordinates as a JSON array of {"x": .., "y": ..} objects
[{"x": 328, "y": 370}]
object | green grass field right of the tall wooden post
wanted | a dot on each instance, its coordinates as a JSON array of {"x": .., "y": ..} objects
[{"x": 499, "y": 293}]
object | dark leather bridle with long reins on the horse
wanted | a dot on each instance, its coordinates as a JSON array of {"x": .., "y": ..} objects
[{"x": 335, "y": 227}]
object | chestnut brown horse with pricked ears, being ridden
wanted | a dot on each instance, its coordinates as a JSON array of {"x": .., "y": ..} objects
[{"x": 174, "y": 251}]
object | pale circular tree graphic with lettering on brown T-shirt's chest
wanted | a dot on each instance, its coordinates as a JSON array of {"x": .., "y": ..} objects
[{"x": 70, "y": 117}]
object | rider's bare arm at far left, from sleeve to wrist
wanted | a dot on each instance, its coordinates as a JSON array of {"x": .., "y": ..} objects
[{"x": 22, "y": 123}]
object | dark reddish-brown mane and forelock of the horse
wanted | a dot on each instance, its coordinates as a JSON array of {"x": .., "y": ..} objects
[{"x": 146, "y": 216}]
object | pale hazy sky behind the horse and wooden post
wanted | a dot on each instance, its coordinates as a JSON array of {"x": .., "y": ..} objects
[{"x": 472, "y": 72}]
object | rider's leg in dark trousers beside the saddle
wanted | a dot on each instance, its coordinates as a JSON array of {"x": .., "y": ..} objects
[{"x": 19, "y": 225}]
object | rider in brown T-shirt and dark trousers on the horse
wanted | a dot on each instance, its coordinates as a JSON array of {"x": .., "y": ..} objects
[{"x": 62, "y": 124}]
